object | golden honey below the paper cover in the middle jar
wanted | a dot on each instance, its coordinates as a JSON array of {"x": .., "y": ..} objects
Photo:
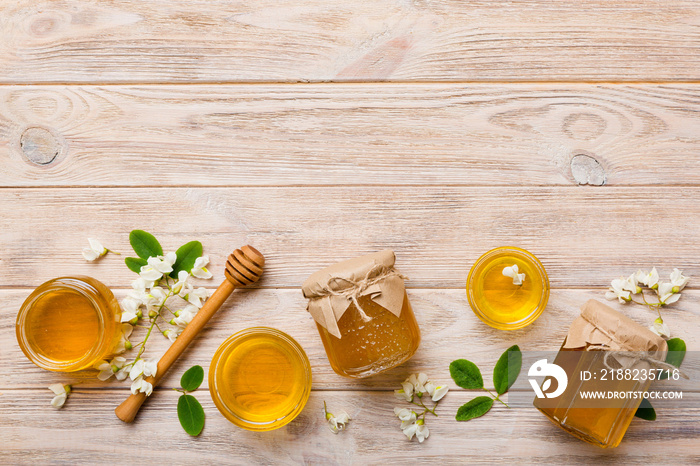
[{"x": 366, "y": 348}]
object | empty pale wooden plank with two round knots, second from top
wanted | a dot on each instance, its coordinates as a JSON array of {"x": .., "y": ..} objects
[{"x": 214, "y": 135}]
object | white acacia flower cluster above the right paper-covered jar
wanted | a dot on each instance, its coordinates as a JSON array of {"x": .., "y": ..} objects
[{"x": 667, "y": 292}]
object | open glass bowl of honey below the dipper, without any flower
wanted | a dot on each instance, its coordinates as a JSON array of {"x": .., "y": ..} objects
[{"x": 260, "y": 379}]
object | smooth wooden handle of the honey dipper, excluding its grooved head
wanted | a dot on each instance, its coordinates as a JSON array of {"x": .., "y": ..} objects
[{"x": 130, "y": 407}]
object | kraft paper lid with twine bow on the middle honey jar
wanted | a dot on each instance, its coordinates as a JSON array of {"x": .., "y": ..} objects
[{"x": 331, "y": 290}]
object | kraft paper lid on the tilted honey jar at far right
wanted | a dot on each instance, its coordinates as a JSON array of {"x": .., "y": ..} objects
[{"x": 602, "y": 326}]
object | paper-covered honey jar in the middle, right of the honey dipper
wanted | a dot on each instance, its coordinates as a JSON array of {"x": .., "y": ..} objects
[{"x": 363, "y": 315}]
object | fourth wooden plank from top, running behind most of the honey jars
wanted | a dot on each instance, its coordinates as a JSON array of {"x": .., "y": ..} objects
[{"x": 449, "y": 331}]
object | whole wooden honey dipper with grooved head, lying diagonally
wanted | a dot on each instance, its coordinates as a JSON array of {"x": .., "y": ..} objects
[{"x": 243, "y": 267}]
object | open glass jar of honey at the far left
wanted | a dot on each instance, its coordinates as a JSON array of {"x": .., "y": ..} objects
[{"x": 69, "y": 323}]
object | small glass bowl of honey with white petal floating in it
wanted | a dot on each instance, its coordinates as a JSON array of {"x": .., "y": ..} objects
[{"x": 503, "y": 301}]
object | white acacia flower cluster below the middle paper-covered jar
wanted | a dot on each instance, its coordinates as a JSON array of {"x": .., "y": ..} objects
[{"x": 414, "y": 390}]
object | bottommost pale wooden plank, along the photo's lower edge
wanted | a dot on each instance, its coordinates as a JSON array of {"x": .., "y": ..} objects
[{"x": 87, "y": 430}]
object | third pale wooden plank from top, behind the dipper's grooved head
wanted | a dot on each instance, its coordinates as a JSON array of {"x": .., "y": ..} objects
[{"x": 583, "y": 236}]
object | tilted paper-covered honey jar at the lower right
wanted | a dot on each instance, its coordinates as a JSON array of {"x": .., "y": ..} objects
[{"x": 606, "y": 345}]
